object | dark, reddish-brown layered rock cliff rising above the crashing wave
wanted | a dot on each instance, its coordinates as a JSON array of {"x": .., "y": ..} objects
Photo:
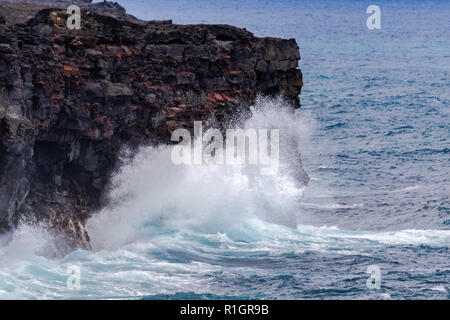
[{"x": 70, "y": 100}]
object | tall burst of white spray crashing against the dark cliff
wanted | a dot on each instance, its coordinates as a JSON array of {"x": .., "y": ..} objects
[{"x": 150, "y": 190}]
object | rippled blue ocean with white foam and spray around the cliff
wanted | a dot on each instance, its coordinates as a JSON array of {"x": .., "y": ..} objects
[{"x": 373, "y": 131}]
